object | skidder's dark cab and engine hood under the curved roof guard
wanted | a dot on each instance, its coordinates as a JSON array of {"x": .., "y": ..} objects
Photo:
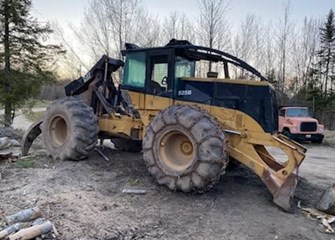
[{"x": 181, "y": 71}]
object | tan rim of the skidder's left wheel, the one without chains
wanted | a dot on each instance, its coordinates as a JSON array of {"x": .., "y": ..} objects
[{"x": 58, "y": 131}]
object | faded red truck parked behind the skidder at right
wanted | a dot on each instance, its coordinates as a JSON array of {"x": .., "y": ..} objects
[{"x": 297, "y": 124}]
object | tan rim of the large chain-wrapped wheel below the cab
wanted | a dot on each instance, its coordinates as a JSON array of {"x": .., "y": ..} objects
[{"x": 176, "y": 151}]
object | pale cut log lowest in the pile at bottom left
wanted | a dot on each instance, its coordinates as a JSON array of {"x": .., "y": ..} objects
[{"x": 32, "y": 232}]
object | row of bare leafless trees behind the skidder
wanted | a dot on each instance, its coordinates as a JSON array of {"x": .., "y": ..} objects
[{"x": 297, "y": 58}]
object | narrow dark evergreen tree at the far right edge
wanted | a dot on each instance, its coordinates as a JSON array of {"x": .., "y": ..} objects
[{"x": 327, "y": 52}]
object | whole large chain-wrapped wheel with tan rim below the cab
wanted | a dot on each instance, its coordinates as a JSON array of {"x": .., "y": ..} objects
[{"x": 184, "y": 149}]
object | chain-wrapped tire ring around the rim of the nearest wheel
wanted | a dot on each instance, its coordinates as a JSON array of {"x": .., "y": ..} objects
[{"x": 208, "y": 140}]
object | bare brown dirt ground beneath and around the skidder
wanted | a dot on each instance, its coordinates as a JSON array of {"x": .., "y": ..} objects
[{"x": 85, "y": 201}]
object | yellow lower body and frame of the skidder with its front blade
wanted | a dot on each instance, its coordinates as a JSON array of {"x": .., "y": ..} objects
[{"x": 247, "y": 141}]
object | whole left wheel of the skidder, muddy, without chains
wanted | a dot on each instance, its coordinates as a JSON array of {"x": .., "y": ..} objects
[{"x": 69, "y": 129}]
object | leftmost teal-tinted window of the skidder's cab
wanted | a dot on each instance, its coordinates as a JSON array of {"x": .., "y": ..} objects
[{"x": 135, "y": 68}]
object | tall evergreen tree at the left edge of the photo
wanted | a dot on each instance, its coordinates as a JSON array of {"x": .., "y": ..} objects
[{"x": 24, "y": 58}]
